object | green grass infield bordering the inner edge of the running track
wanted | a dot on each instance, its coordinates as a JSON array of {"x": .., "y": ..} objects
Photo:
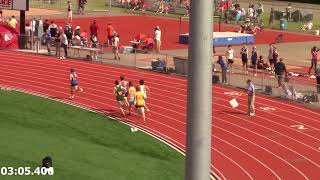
[{"x": 82, "y": 144}]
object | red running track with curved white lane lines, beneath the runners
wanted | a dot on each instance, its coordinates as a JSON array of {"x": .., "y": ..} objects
[{"x": 267, "y": 146}]
